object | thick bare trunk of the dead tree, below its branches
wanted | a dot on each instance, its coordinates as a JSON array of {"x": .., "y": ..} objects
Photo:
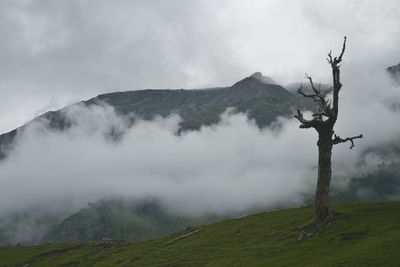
[{"x": 322, "y": 212}]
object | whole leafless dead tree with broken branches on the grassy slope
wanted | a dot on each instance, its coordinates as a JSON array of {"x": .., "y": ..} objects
[{"x": 323, "y": 121}]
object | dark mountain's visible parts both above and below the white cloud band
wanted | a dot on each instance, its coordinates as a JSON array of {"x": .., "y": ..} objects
[{"x": 256, "y": 95}]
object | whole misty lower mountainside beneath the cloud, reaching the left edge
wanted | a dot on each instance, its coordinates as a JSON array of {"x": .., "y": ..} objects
[{"x": 108, "y": 218}]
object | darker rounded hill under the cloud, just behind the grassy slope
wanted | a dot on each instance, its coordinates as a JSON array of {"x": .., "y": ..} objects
[{"x": 120, "y": 219}]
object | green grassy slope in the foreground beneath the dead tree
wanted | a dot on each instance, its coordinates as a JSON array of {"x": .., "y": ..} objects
[{"x": 362, "y": 234}]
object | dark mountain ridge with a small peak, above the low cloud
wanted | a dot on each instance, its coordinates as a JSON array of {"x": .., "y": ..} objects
[{"x": 255, "y": 95}]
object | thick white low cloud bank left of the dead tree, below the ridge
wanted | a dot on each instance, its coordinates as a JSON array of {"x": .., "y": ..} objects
[{"x": 229, "y": 167}]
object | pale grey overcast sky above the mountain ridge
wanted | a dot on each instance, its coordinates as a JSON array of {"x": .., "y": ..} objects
[{"x": 53, "y": 53}]
